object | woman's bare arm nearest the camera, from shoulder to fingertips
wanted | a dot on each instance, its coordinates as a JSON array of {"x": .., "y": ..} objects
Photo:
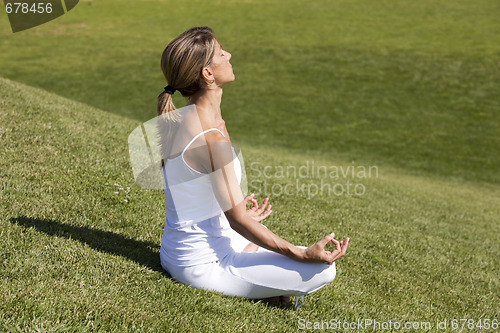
[{"x": 228, "y": 193}]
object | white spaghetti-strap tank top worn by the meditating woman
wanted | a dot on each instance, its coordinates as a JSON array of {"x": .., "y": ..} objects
[{"x": 196, "y": 229}]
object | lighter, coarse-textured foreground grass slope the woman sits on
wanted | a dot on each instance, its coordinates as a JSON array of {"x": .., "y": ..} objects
[{"x": 76, "y": 257}]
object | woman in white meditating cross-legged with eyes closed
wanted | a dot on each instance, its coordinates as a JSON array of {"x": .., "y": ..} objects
[{"x": 211, "y": 240}]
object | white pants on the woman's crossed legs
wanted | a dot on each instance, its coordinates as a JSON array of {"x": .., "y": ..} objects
[{"x": 258, "y": 274}]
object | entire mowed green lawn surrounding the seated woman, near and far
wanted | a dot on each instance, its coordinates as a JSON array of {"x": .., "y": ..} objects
[{"x": 407, "y": 89}]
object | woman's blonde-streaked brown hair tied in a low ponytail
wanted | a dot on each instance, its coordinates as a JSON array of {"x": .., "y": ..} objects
[{"x": 182, "y": 63}]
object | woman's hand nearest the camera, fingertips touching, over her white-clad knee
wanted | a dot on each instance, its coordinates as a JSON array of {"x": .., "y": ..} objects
[{"x": 317, "y": 253}]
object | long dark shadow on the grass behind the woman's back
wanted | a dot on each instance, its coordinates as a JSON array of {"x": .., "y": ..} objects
[{"x": 144, "y": 253}]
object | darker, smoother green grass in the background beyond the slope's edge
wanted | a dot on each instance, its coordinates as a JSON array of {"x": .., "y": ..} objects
[{"x": 405, "y": 83}]
